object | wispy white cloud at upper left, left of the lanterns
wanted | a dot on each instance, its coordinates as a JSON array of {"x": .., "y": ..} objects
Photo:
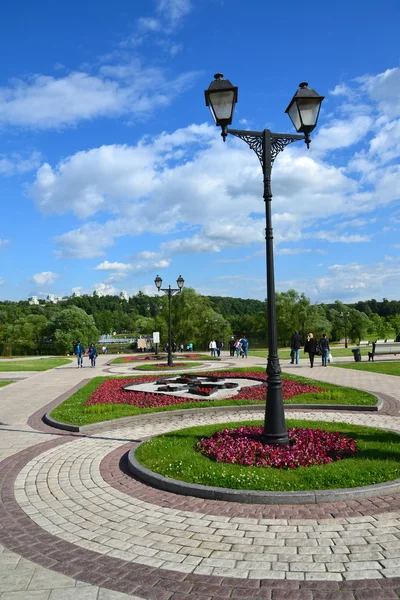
[{"x": 44, "y": 102}]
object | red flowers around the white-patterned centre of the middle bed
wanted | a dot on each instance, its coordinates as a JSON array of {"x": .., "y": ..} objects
[{"x": 112, "y": 391}]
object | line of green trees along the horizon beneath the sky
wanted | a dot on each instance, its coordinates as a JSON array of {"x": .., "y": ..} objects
[{"x": 54, "y": 328}]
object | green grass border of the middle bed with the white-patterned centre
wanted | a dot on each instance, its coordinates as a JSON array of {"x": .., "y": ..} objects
[{"x": 74, "y": 411}]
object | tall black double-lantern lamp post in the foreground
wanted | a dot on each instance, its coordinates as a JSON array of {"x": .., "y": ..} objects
[{"x": 303, "y": 110}]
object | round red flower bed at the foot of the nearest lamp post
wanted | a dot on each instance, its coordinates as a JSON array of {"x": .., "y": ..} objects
[{"x": 307, "y": 447}]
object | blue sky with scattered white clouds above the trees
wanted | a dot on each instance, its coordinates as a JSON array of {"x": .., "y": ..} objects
[{"x": 112, "y": 171}]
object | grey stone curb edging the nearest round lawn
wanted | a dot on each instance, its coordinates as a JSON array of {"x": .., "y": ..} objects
[{"x": 176, "y": 486}]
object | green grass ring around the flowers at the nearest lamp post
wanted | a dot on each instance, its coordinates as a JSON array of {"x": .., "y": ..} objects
[{"x": 174, "y": 455}]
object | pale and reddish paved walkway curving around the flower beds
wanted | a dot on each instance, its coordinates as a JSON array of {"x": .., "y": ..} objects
[{"x": 73, "y": 524}]
